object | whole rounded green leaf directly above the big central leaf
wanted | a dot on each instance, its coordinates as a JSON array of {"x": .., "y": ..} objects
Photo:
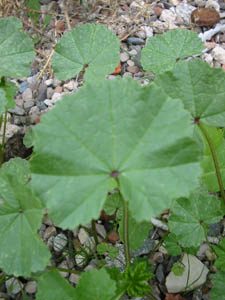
[{"x": 91, "y": 47}]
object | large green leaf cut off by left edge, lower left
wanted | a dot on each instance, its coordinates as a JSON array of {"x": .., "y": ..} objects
[{"x": 21, "y": 249}]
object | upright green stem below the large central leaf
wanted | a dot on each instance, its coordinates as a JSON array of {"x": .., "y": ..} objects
[{"x": 126, "y": 232}]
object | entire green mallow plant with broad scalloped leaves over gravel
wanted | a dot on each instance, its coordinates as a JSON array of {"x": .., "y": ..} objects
[{"x": 155, "y": 147}]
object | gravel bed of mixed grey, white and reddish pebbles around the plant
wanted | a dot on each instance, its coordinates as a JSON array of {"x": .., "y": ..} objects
[{"x": 134, "y": 22}]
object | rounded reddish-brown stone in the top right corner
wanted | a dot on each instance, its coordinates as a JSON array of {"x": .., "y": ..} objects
[{"x": 205, "y": 17}]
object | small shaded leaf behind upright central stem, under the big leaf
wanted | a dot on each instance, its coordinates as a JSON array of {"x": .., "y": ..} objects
[{"x": 137, "y": 232}]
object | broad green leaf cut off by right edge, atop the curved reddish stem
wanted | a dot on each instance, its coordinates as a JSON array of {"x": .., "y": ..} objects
[{"x": 200, "y": 87}]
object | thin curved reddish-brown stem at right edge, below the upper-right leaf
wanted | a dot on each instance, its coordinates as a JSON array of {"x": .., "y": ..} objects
[{"x": 213, "y": 153}]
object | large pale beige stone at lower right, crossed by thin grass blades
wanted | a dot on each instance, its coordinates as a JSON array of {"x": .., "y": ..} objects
[{"x": 194, "y": 275}]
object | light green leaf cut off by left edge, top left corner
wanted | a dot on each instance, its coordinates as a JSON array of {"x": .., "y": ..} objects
[{"x": 16, "y": 49}]
